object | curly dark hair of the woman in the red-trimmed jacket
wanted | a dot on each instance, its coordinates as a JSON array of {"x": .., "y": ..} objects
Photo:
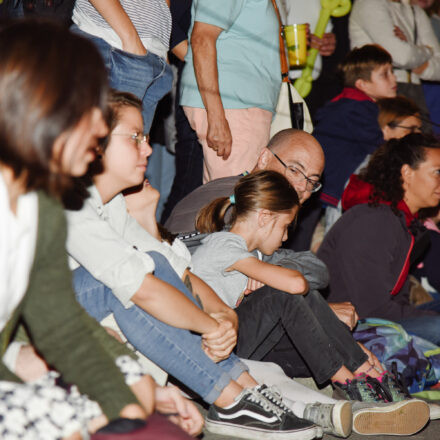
[{"x": 384, "y": 170}]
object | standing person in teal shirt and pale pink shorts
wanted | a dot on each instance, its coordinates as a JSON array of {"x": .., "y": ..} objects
[{"x": 231, "y": 81}]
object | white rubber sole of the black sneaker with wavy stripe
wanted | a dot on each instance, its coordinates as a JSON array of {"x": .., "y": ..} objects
[{"x": 237, "y": 431}]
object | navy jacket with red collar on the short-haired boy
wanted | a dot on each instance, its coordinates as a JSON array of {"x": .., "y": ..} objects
[{"x": 348, "y": 130}]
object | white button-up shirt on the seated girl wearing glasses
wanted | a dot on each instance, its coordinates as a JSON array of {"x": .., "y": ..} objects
[{"x": 112, "y": 246}]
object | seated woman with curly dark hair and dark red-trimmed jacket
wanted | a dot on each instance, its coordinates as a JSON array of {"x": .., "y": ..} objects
[{"x": 370, "y": 249}]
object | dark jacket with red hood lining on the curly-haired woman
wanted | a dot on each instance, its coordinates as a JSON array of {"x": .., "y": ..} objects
[{"x": 368, "y": 254}]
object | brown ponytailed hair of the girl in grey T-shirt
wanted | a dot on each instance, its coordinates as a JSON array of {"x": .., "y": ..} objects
[{"x": 259, "y": 190}]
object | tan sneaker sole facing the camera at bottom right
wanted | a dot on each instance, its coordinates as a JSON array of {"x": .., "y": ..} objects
[{"x": 402, "y": 418}]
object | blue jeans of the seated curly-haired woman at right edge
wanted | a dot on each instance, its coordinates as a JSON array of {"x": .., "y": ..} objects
[{"x": 426, "y": 327}]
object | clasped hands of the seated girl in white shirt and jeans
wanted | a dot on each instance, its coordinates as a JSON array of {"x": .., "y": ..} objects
[{"x": 219, "y": 344}]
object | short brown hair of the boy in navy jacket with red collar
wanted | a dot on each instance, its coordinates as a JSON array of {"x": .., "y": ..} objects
[{"x": 361, "y": 61}]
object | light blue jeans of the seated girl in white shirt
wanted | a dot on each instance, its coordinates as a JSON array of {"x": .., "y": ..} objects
[{"x": 175, "y": 350}]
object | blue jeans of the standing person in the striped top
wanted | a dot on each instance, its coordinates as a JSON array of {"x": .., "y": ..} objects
[{"x": 149, "y": 76}]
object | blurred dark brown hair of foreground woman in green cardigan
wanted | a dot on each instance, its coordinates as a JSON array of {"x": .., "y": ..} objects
[{"x": 49, "y": 79}]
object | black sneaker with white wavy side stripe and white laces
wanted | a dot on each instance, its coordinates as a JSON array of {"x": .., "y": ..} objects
[{"x": 253, "y": 416}]
